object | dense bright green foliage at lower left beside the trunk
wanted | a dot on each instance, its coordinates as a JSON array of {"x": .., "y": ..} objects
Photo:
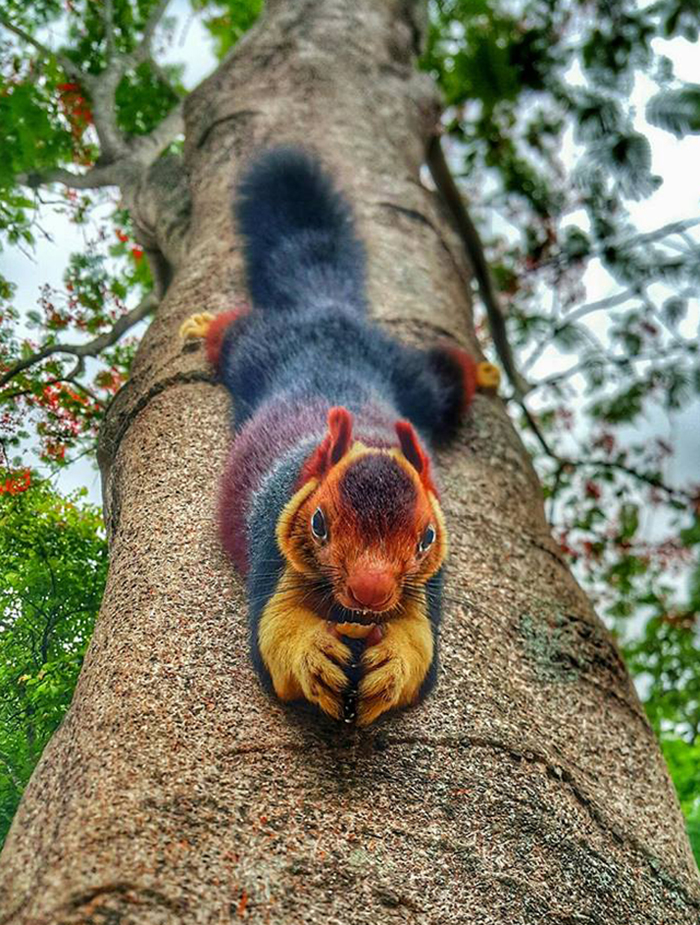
[{"x": 53, "y": 565}]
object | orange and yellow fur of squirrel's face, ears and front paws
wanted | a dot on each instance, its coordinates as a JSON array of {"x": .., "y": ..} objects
[{"x": 300, "y": 647}]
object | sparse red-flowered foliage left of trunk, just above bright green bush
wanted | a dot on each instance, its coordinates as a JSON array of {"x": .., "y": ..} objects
[{"x": 53, "y": 402}]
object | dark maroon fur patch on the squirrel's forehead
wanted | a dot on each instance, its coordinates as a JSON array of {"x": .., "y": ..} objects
[{"x": 380, "y": 493}]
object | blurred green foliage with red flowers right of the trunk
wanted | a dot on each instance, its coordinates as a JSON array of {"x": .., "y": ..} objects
[{"x": 520, "y": 79}]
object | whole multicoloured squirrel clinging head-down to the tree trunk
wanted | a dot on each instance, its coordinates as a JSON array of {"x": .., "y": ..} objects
[{"x": 328, "y": 505}]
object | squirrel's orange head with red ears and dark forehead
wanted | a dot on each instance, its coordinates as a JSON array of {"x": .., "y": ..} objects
[{"x": 365, "y": 523}]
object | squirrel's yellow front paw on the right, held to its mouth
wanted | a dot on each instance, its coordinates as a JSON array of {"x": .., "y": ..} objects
[{"x": 394, "y": 669}]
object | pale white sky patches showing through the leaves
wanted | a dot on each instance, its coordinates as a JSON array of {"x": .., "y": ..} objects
[{"x": 678, "y": 198}]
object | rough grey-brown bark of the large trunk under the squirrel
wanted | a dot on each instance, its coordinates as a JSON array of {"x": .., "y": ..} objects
[{"x": 528, "y": 788}]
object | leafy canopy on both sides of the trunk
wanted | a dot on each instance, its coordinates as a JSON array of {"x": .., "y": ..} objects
[{"x": 538, "y": 130}]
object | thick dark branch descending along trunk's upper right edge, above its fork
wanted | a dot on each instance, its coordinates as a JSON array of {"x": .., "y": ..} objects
[{"x": 472, "y": 243}]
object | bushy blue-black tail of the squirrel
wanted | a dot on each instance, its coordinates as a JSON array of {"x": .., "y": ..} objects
[{"x": 301, "y": 249}]
